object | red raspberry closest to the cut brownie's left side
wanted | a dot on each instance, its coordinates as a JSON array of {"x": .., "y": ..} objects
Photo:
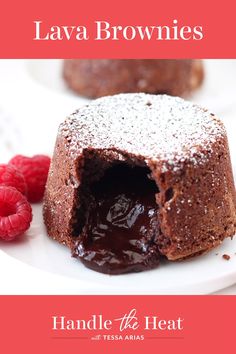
[{"x": 35, "y": 171}]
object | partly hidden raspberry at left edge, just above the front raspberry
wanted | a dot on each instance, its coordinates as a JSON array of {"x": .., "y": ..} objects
[{"x": 11, "y": 177}]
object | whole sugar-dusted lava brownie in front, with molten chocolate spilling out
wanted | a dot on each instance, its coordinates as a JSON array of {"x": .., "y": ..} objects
[{"x": 138, "y": 177}]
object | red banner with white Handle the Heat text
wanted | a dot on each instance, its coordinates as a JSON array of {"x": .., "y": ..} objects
[{"x": 124, "y": 324}]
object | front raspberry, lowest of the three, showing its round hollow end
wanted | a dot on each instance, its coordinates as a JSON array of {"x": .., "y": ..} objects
[{"x": 15, "y": 213}]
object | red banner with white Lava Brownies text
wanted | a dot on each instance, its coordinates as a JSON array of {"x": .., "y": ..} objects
[{"x": 125, "y": 29}]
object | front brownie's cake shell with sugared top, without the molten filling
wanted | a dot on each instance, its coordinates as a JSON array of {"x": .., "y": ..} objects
[{"x": 184, "y": 146}]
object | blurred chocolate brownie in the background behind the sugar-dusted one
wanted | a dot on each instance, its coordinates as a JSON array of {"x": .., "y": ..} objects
[{"x": 96, "y": 78}]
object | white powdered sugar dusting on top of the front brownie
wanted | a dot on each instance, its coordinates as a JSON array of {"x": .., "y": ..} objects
[{"x": 158, "y": 127}]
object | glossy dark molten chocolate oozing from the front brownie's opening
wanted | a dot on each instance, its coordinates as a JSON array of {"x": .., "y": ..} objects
[{"x": 121, "y": 226}]
